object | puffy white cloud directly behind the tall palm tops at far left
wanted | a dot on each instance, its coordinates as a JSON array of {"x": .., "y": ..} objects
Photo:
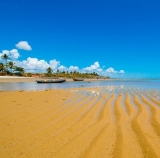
[{"x": 12, "y": 54}]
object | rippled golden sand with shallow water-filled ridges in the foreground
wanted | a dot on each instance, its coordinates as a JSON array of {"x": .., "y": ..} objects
[{"x": 101, "y": 122}]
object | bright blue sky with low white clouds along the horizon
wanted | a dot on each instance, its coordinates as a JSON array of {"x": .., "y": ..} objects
[{"x": 119, "y": 35}]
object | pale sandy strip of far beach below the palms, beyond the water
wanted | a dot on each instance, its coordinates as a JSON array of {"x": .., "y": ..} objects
[{"x": 33, "y": 79}]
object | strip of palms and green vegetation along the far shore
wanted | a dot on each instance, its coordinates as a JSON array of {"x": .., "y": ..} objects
[{"x": 9, "y": 68}]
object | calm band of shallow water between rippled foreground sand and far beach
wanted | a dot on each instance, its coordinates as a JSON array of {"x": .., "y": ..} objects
[{"x": 27, "y": 86}]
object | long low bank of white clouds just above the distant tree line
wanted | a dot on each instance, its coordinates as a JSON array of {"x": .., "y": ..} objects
[{"x": 35, "y": 65}]
